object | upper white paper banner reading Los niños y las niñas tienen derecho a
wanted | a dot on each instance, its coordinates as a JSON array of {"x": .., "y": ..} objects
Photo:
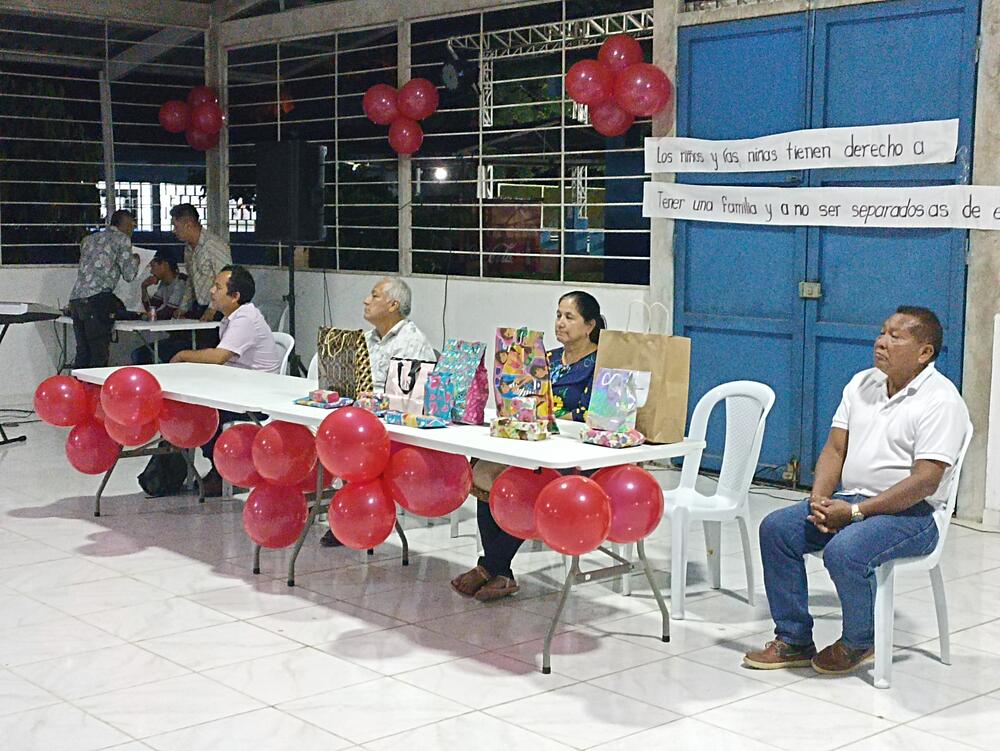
[{"x": 931, "y": 142}]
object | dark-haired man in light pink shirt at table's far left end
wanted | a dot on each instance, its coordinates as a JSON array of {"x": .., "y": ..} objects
[{"x": 245, "y": 341}]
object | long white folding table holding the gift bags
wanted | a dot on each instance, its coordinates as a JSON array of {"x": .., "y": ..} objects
[{"x": 240, "y": 390}]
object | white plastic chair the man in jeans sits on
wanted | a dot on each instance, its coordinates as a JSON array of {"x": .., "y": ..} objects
[{"x": 885, "y": 575}]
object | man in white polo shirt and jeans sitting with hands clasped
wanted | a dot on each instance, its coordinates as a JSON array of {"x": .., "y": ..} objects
[{"x": 894, "y": 439}]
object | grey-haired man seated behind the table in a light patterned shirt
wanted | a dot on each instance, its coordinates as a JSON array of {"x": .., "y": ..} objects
[{"x": 393, "y": 334}]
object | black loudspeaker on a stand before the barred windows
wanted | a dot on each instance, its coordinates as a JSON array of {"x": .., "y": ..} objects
[{"x": 290, "y": 192}]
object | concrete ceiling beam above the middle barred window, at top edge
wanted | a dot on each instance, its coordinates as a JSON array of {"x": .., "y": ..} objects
[{"x": 327, "y": 18}]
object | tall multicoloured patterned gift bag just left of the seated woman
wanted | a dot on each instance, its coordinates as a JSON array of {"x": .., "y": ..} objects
[{"x": 521, "y": 376}]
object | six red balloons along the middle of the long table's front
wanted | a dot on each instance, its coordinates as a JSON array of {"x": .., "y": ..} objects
[{"x": 279, "y": 461}]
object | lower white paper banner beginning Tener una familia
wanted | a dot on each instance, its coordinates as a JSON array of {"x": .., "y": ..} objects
[{"x": 938, "y": 206}]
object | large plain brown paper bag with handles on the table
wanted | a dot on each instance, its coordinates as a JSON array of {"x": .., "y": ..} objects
[{"x": 668, "y": 360}]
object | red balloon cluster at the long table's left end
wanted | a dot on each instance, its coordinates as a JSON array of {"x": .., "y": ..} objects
[{"x": 128, "y": 410}]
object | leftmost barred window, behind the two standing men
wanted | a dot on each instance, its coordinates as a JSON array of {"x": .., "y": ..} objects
[{"x": 52, "y": 186}]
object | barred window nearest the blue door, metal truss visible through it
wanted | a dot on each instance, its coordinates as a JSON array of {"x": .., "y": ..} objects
[{"x": 511, "y": 180}]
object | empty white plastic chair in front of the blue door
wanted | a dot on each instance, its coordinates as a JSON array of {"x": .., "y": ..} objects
[{"x": 747, "y": 406}]
